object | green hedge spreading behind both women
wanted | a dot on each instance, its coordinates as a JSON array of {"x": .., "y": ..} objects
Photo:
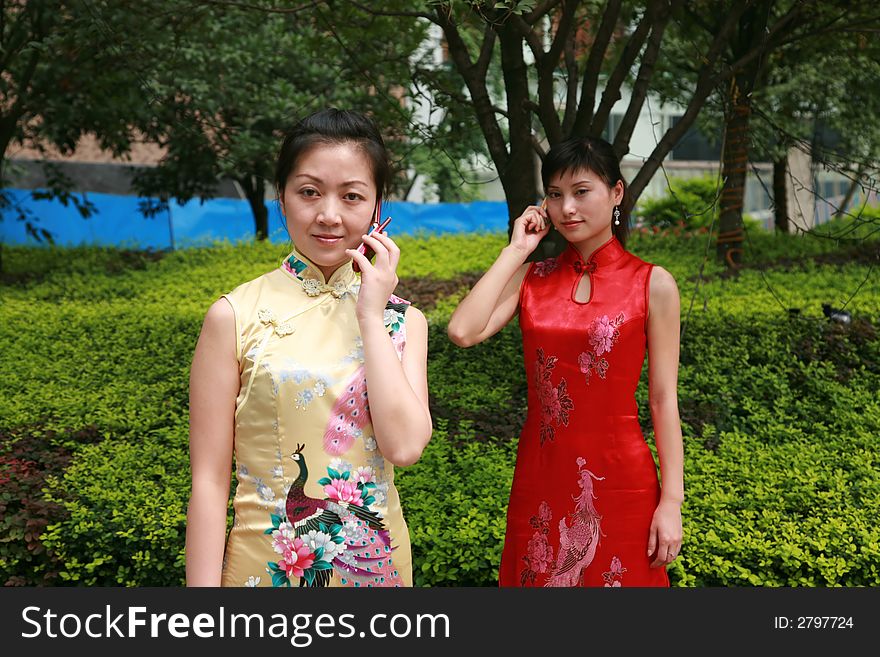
[{"x": 781, "y": 417}]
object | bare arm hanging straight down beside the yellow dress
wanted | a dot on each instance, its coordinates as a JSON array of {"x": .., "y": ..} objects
[{"x": 214, "y": 385}]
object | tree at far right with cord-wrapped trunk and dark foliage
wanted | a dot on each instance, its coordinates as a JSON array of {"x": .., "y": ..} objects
[{"x": 771, "y": 42}]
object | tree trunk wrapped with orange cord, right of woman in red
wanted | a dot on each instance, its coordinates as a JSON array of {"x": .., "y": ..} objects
[{"x": 735, "y": 158}]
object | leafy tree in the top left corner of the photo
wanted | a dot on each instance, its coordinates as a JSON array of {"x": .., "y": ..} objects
[{"x": 55, "y": 85}]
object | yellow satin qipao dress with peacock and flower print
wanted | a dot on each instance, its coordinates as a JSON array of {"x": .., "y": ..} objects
[{"x": 315, "y": 503}]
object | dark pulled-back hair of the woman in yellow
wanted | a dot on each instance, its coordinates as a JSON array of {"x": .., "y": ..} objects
[{"x": 334, "y": 126}]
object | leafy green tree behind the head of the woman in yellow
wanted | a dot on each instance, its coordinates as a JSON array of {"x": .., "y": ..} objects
[{"x": 243, "y": 73}]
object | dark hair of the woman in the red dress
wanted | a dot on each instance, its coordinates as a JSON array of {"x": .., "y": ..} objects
[{"x": 595, "y": 155}]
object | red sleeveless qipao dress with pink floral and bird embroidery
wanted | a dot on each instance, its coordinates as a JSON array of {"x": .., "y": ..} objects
[{"x": 585, "y": 486}]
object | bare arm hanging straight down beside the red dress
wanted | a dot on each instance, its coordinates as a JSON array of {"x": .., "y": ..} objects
[{"x": 663, "y": 352}]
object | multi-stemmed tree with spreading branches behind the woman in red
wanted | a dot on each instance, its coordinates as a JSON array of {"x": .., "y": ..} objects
[{"x": 576, "y": 47}]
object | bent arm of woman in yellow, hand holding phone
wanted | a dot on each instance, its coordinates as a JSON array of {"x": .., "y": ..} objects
[{"x": 398, "y": 388}]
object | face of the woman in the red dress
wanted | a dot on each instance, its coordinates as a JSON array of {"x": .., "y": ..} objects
[{"x": 580, "y": 205}]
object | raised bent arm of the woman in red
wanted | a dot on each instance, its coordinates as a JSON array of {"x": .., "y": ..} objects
[{"x": 492, "y": 303}]
